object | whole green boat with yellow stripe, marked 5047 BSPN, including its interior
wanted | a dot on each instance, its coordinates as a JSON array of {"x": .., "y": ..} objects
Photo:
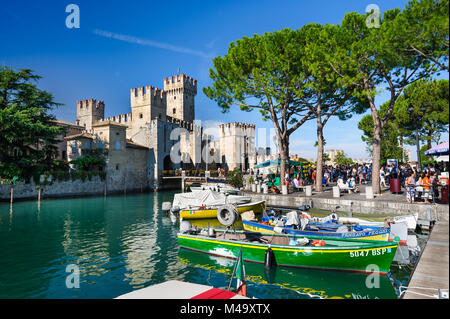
[{"x": 367, "y": 256}]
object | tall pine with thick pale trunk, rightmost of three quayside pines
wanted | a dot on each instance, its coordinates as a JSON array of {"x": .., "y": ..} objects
[{"x": 374, "y": 58}]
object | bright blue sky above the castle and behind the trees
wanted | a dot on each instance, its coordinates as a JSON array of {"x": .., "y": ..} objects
[{"x": 127, "y": 44}]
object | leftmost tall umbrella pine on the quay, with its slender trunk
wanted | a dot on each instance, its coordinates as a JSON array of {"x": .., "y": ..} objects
[{"x": 265, "y": 73}]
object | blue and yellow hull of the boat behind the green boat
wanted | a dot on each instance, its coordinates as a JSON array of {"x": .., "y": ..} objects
[{"x": 372, "y": 234}]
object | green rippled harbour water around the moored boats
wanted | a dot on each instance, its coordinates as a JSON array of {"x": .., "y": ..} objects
[{"x": 123, "y": 243}]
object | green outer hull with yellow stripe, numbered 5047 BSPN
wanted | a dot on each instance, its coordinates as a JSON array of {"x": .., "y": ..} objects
[{"x": 354, "y": 255}]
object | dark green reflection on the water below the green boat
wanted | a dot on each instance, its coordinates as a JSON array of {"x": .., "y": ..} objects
[{"x": 282, "y": 282}]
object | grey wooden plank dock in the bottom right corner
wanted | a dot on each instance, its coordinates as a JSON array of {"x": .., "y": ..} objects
[{"x": 431, "y": 273}]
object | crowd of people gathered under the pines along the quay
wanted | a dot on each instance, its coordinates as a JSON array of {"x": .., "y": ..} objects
[{"x": 417, "y": 184}]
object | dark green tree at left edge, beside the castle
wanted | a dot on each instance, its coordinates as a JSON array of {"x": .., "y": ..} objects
[{"x": 28, "y": 134}]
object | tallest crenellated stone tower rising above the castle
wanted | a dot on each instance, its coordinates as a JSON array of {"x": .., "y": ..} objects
[{"x": 180, "y": 92}]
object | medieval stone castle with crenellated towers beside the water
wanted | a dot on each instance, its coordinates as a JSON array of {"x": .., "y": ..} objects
[{"x": 158, "y": 134}]
